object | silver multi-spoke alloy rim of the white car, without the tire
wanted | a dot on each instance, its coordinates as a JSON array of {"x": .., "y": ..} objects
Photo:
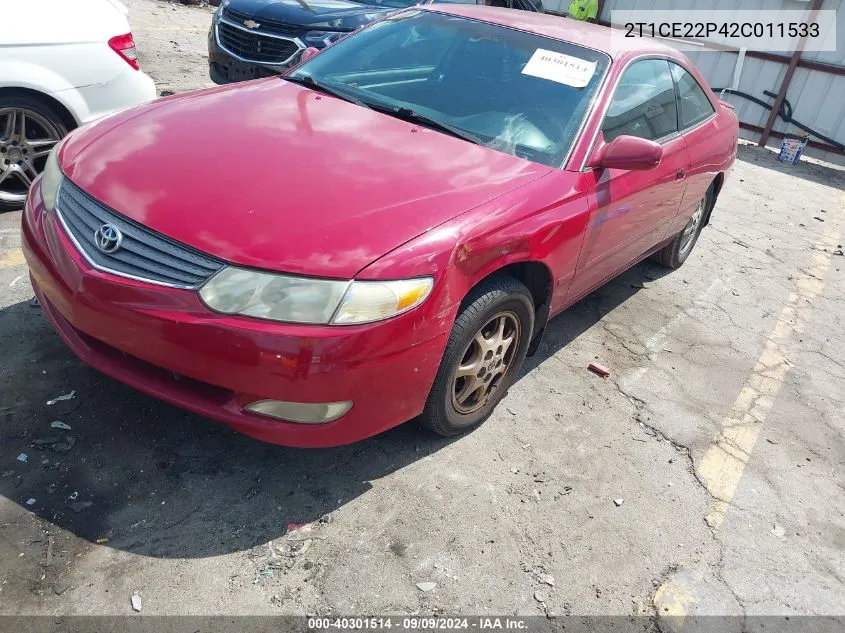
[{"x": 26, "y": 138}]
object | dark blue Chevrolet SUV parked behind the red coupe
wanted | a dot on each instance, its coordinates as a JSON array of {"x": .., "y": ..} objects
[{"x": 257, "y": 38}]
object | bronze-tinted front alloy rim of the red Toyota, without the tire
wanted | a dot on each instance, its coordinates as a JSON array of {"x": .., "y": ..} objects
[{"x": 485, "y": 362}]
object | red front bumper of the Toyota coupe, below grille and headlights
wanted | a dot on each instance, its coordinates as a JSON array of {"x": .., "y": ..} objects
[{"x": 164, "y": 342}]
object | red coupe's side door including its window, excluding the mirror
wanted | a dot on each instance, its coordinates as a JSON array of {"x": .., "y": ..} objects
[{"x": 632, "y": 210}]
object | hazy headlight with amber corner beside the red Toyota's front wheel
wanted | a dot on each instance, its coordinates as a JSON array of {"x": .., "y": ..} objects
[{"x": 316, "y": 301}]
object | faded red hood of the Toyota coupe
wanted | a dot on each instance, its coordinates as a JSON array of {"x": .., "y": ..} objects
[{"x": 271, "y": 175}]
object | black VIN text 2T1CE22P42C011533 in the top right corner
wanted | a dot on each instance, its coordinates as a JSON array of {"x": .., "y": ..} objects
[{"x": 724, "y": 29}]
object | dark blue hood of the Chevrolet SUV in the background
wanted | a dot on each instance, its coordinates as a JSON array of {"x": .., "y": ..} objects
[{"x": 332, "y": 15}]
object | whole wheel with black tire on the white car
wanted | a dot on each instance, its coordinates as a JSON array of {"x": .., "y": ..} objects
[{"x": 33, "y": 132}]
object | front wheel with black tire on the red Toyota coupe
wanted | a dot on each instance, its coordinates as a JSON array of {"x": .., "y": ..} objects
[{"x": 495, "y": 310}]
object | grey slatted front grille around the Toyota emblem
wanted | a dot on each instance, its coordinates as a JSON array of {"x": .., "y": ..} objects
[{"x": 143, "y": 254}]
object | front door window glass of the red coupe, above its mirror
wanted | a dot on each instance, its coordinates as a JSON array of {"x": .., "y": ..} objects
[{"x": 643, "y": 103}]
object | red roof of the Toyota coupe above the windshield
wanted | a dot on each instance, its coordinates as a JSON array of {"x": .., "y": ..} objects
[{"x": 558, "y": 27}]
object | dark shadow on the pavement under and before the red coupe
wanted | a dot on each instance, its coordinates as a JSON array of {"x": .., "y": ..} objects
[{"x": 161, "y": 482}]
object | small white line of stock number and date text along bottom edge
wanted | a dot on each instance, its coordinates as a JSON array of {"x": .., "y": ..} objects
[{"x": 413, "y": 623}]
